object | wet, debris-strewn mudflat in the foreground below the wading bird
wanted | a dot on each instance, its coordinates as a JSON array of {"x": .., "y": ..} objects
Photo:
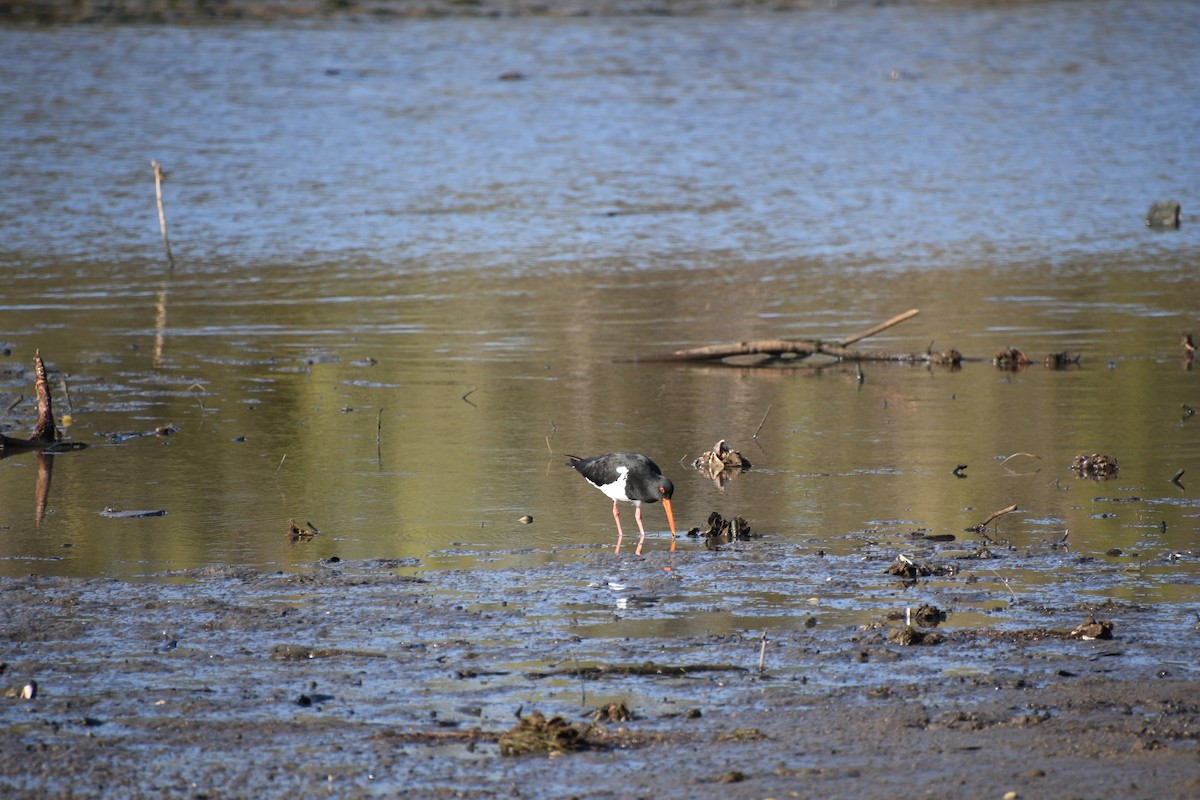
[{"x": 376, "y": 678}]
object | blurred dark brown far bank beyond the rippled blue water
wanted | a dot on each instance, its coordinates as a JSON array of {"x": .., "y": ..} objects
[{"x": 201, "y": 11}]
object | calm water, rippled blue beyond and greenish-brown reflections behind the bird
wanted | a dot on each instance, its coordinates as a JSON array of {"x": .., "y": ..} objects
[{"x": 404, "y": 288}]
